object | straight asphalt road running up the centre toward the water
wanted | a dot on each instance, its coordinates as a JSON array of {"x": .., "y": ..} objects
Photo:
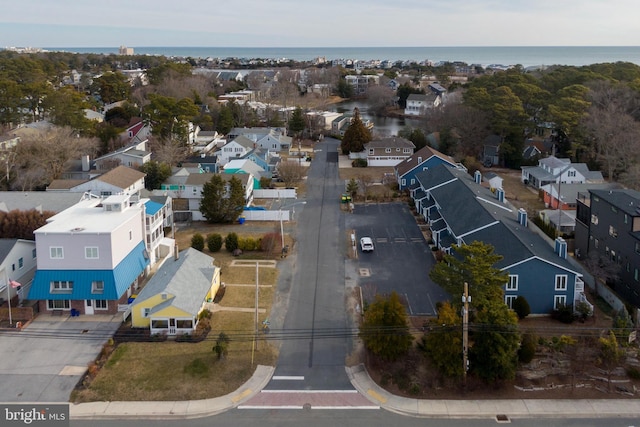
[{"x": 313, "y": 357}]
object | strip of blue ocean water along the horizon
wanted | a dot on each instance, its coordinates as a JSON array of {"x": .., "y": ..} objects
[{"x": 526, "y": 56}]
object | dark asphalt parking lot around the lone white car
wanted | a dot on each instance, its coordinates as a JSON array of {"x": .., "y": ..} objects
[{"x": 401, "y": 260}]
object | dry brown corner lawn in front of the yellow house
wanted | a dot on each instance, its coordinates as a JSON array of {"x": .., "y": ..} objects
[{"x": 169, "y": 370}]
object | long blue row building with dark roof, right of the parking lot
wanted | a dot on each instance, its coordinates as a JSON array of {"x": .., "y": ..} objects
[{"x": 460, "y": 211}]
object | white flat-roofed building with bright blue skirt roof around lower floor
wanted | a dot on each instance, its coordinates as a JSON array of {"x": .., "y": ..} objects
[{"x": 91, "y": 256}]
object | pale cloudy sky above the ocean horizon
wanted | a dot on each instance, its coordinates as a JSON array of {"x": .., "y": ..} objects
[{"x": 314, "y": 23}]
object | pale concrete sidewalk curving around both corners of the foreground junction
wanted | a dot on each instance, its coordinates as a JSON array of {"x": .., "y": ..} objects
[{"x": 500, "y": 410}]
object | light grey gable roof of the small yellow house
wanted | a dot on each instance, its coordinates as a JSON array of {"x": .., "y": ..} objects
[{"x": 186, "y": 281}]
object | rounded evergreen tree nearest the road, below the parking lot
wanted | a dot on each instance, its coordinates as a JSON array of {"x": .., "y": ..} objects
[{"x": 385, "y": 330}]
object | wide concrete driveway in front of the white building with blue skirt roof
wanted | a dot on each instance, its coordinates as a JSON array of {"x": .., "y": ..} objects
[{"x": 45, "y": 361}]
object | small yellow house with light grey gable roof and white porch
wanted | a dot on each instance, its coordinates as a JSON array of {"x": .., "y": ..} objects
[{"x": 172, "y": 299}]
